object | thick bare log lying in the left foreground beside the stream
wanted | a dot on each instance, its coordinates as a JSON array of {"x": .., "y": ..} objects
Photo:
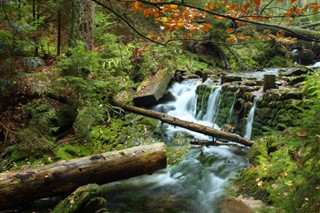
[{"x": 21, "y": 186}]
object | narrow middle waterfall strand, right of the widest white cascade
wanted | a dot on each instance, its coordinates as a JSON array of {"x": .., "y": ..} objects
[{"x": 213, "y": 103}]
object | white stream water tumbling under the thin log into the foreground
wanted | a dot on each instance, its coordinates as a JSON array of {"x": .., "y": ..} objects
[{"x": 198, "y": 182}]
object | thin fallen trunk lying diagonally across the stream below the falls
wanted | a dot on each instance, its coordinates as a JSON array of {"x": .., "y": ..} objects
[{"x": 186, "y": 124}]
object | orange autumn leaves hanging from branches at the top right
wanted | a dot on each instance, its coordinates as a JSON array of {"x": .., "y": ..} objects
[{"x": 173, "y": 17}]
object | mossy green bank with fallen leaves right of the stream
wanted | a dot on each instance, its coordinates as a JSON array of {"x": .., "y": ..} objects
[{"x": 285, "y": 166}]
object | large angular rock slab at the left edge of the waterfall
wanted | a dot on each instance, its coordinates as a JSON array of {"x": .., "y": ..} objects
[{"x": 152, "y": 89}]
